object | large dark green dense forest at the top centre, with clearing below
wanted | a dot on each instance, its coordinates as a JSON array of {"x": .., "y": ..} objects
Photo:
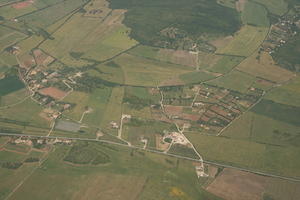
[{"x": 177, "y": 23}]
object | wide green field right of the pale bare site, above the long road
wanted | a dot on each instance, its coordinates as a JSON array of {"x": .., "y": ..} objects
[{"x": 263, "y": 157}]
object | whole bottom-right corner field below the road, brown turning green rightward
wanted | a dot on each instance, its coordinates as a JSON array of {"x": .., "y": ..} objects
[{"x": 251, "y": 187}]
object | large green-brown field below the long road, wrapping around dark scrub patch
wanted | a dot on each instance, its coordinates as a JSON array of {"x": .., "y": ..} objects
[{"x": 138, "y": 175}]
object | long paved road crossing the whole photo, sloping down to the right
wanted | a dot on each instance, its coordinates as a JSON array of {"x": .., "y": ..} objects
[{"x": 159, "y": 152}]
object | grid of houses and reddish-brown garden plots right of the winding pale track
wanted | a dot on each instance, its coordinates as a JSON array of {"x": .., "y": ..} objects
[{"x": 222, "y": 106}]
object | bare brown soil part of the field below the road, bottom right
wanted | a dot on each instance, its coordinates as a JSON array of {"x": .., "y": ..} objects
[{"x": 232, "y": 184}]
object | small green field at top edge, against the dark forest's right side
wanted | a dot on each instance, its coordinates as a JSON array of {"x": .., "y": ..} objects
[{"x": 259, "y": 19}]
